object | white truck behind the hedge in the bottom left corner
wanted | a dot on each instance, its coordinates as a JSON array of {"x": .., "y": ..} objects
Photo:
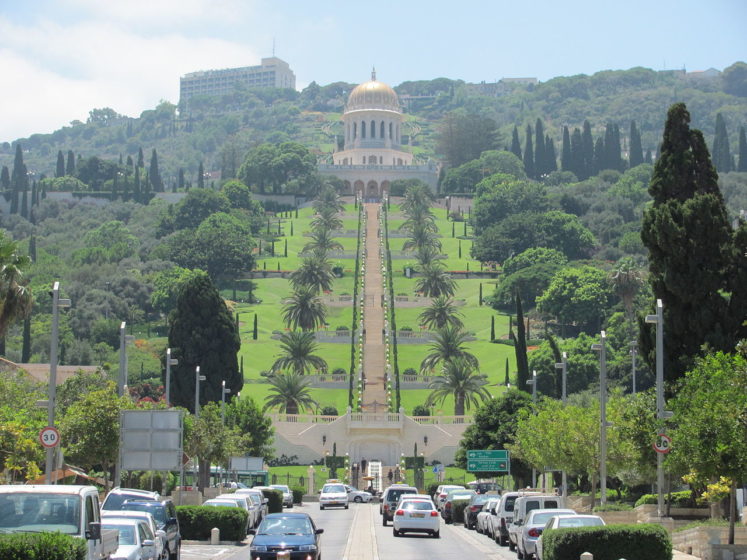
[{"x": 71, "y": 510}]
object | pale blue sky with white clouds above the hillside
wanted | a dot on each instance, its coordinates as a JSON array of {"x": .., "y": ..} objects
[{"x": 61, "y": 58}]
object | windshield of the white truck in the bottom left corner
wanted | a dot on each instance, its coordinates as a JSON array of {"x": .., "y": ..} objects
[{"x": 25, "y": 512}]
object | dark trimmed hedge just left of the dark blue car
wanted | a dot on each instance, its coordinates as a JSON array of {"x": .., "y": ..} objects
[{"x": 195, "y": 522}]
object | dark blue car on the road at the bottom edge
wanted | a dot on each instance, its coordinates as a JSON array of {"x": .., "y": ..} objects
[{"x": 294, "y": 533}]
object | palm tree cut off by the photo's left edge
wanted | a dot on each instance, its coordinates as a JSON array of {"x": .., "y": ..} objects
[{"x": 15, "y": 297}]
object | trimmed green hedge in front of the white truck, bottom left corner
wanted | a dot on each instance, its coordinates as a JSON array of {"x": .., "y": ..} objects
[{"x": 41, "y": 546}]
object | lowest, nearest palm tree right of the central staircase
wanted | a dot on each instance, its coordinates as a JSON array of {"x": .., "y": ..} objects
[{"x": 459, "y": 379}]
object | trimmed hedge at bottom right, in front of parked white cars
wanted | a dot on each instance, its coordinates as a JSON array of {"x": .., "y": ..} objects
[{"x": 640, "y": 541}]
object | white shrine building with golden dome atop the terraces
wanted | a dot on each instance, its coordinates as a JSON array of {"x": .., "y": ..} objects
[{"x": 372, "y": 155}]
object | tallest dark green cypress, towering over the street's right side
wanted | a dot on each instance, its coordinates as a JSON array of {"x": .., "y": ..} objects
[{"x": 691, "y": 253}]
